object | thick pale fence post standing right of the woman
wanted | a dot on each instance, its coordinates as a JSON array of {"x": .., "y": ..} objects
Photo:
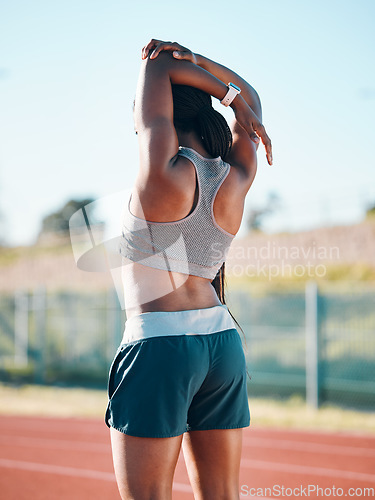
[{"x": 312, "y": 344}]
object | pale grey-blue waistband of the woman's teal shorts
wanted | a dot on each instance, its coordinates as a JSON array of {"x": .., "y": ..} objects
[{"x": 191, "y": 322}]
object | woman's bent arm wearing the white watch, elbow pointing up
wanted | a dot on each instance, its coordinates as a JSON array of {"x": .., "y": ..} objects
[{"x": 154, "y": 107}]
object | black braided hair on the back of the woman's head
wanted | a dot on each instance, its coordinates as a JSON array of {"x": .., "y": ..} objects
[{"x": 193, "y": 111}]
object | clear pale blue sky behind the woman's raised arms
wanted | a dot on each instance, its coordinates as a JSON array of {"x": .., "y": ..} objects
[{"x": 68, "y": 72}]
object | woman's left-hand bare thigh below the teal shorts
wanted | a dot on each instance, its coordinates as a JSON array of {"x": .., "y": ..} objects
[{"x": 144, "y": 467}]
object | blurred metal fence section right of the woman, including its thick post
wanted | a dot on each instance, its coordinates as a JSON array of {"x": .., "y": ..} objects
[{"x": 319, "y": 345}]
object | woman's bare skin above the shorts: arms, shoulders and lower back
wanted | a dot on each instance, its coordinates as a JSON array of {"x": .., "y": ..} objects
[{"x": 165, "y": 188}]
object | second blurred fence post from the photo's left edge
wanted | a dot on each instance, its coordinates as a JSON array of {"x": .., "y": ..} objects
[{"x": 40, "y": 311}]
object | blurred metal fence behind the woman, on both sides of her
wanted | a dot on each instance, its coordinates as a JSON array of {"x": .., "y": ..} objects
[{"x": 319, "y": 345}]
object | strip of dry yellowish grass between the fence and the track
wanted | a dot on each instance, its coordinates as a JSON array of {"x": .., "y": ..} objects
[{"x": 291, "y": 413}]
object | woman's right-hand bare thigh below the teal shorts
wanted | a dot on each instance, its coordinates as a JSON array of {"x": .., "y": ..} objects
[{"x": 213, "y": 463}]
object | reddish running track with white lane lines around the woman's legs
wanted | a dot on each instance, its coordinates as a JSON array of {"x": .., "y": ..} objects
[{"x": 53, "y": 459}]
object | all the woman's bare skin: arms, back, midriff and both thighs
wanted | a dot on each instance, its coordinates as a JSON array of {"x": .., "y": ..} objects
[{"x": 165, "y": 191}]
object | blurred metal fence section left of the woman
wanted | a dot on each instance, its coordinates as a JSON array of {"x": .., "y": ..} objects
[{"x": 62, "y": 337}]
